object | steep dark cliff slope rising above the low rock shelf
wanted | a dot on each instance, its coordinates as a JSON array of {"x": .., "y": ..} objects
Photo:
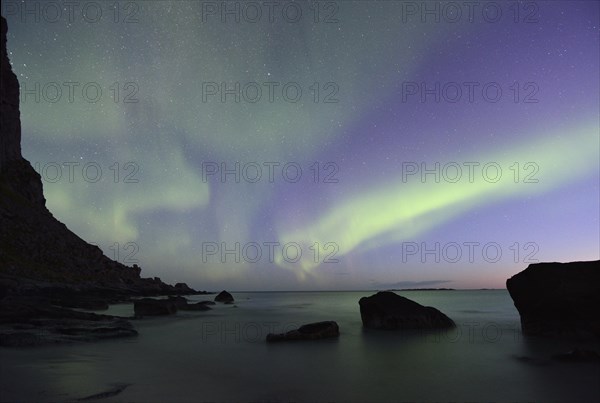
[{"x": 37, "y": 250}]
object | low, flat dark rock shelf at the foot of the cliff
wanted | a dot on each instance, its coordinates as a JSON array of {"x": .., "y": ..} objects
[{"x": 35, "y": 316}]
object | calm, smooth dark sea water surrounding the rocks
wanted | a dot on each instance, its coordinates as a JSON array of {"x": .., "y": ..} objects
[{"x": 221, "y": 355}]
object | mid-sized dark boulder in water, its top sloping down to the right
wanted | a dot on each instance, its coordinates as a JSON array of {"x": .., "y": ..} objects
[{"x": 390, "y": 311}]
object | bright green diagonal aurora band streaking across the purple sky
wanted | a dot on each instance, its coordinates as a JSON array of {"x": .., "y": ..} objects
[{"x": 402, "y": 210}]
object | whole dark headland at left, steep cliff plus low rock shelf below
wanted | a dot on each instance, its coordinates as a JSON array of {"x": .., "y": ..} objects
[{"x": 46, "y": 269}]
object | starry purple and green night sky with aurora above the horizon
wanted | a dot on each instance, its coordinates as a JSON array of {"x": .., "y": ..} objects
[{"x": 378, "y": 144}]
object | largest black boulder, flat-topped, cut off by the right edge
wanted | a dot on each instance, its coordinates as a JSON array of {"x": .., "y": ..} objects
[{"x": 558, "y": 299}]
